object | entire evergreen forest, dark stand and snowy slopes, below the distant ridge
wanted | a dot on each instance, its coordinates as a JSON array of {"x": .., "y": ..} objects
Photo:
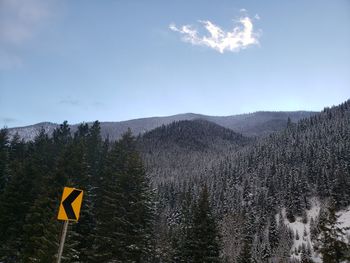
[{"x": 190, "y": 191}]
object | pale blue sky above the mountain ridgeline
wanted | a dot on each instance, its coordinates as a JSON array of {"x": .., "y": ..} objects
[{"x": 115, "y": 60}]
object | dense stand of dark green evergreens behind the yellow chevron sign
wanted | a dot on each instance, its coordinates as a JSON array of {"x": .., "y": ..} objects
[{"x": 117, "y": 215}]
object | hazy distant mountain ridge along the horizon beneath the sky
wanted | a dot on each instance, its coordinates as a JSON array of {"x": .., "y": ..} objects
[{"x": 252, "y": 124}]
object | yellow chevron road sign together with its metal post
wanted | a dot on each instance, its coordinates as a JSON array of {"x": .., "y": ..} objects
[{"x": 69, "y": 211}]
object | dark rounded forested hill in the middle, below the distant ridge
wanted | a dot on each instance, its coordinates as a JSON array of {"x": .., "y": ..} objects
[{"x": 183, "y": 150}]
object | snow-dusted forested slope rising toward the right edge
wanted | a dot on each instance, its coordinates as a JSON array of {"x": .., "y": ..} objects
[{"x": 272, "y": 194}]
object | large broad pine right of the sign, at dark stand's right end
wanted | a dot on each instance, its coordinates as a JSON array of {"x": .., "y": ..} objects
[{"x": 125, "y": 214}]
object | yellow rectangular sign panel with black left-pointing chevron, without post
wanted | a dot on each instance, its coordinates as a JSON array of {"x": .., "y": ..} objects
[{"x": 70, "y": 204}]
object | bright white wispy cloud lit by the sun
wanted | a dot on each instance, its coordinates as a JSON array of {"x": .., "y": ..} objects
[{"x": 240, "y": 37}]
